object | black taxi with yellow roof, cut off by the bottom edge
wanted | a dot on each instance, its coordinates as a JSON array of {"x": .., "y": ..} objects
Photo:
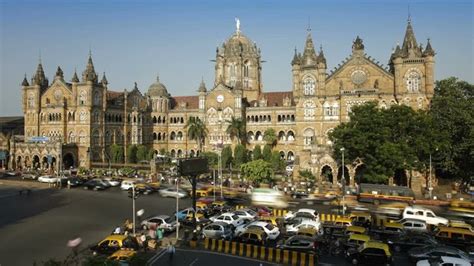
[{"x": 370, "y": 253}]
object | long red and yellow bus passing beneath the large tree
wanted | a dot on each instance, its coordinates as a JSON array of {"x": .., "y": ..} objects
[{"x": 375, "y": 193}]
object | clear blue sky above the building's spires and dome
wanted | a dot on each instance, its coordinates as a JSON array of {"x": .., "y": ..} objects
[{"x": 134, "y": 41}]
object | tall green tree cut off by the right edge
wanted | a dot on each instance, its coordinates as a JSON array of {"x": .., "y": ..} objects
[{"x": 452, "y": 110}]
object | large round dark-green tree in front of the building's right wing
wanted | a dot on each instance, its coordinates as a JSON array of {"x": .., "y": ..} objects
[{"x": 385, "y": 139}]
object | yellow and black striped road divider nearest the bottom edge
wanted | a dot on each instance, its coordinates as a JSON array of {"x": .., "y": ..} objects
[{"x": 275, "y": 255}]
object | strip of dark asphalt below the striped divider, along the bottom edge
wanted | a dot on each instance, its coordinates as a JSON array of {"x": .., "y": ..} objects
[{"x": 203, "y": 258}]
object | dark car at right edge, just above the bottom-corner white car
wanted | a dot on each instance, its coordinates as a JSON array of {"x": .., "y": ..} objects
[{"x": 435, "y": 251}]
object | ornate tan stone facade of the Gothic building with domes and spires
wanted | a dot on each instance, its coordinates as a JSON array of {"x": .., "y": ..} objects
[{"x": 89, "y": 116}]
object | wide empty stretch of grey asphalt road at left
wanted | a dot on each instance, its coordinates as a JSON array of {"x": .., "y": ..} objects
[{"x": 37, "y": 227}]
